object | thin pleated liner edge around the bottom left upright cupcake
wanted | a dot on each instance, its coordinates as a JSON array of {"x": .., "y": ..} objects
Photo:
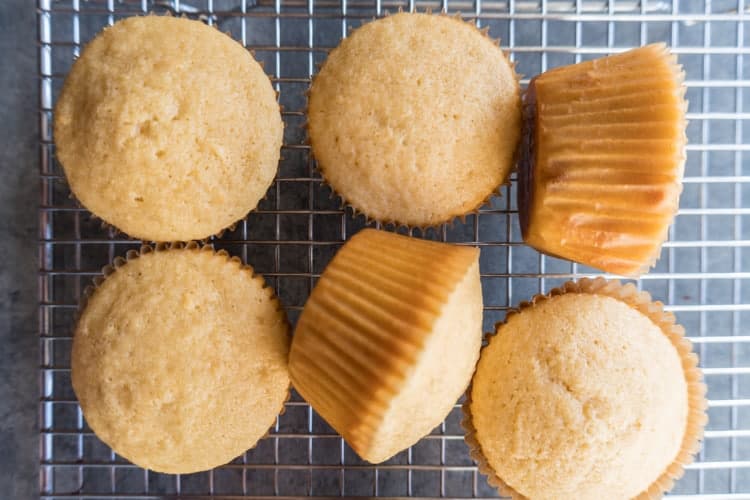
[{"x": 192, "y": 246}]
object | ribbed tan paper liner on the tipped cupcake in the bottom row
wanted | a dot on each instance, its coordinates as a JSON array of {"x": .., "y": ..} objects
[{"x": 365, "y": 325}]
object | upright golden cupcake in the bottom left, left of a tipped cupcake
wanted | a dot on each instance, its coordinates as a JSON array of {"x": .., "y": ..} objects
[{"x": 180, "y": 359}]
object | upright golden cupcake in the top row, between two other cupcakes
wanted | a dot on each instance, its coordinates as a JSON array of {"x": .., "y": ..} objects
[{"x": 415, "y": 118}]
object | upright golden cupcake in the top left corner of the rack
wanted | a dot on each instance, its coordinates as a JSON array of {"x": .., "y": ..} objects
[{"x": 167, "y": 129}]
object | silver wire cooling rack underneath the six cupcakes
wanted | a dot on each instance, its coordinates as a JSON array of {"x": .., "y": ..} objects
[{"x": 298, "y": 227}]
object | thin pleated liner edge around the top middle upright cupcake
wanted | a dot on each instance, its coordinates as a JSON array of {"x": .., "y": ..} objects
[{"x": 369, "y": 219}]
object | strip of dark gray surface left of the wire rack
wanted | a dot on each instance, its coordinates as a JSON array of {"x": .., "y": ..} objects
[{"x": 19, "y": 198}]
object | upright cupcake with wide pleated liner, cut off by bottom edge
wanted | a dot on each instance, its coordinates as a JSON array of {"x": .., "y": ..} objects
[{"x": 590, "y": 392}]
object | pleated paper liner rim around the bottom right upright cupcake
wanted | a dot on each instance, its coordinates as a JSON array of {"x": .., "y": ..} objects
[{"x": 654, "y": 310}]
